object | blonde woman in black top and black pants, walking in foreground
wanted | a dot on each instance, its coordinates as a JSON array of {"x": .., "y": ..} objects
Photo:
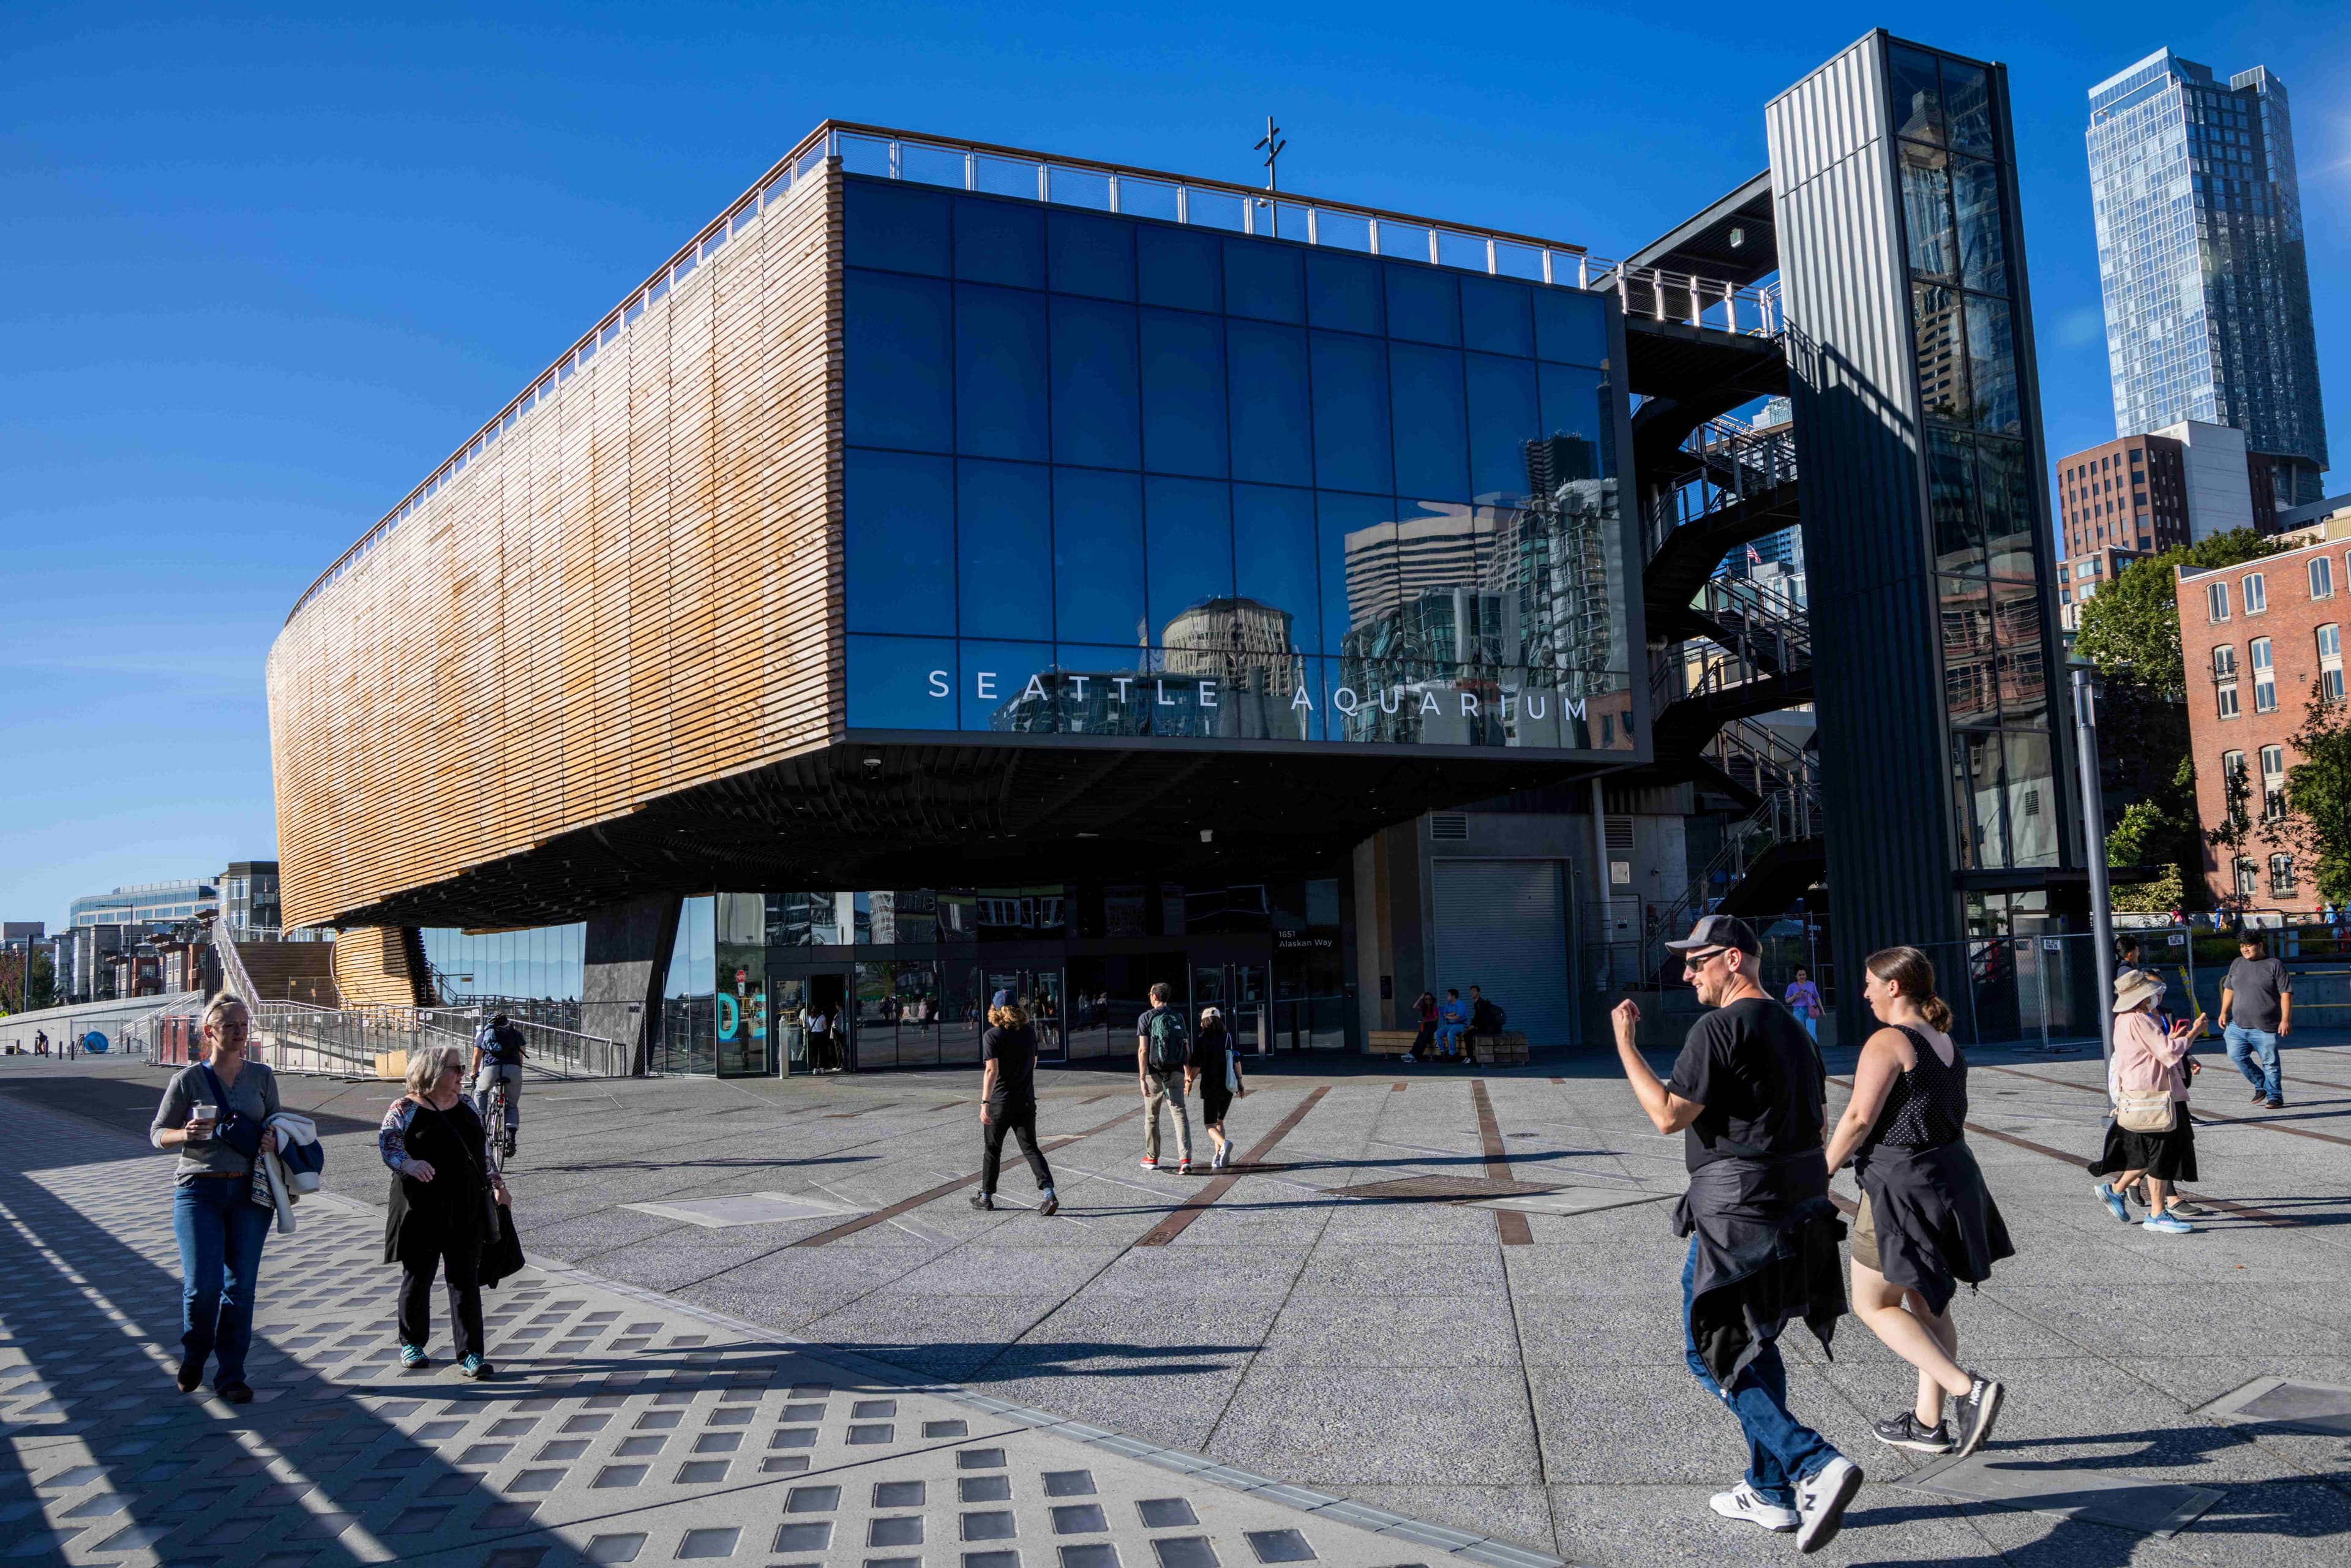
[{"x": 448, "y": 1207}]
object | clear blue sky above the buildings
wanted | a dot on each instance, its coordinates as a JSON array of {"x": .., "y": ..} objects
[{"x": 260, "y": 269}]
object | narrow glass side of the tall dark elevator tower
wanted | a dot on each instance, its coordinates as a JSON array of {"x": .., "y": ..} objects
[{"x": 1978, "y": 462}]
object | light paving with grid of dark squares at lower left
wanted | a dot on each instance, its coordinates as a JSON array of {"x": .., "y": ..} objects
[{"x": 622, "y": 1428}]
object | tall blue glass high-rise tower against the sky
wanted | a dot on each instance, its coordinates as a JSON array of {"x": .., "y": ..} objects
[{"x": 2202, "y": 260}]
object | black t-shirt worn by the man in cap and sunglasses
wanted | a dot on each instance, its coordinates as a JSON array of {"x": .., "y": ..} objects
[{"x": 1760, "y": 1078}]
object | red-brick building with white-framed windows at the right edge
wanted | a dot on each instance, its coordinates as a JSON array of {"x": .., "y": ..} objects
[{"x": 2258, "y": 641}]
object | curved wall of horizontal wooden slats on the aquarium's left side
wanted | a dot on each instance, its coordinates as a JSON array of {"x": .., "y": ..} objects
[{"x": 631, "y": 594}]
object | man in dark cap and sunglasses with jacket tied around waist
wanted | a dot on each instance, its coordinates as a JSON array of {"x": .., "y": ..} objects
[{"x": 1750, "y": 1099}]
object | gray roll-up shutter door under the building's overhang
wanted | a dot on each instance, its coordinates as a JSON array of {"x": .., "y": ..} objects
[{"x": 1503, "y": 925}]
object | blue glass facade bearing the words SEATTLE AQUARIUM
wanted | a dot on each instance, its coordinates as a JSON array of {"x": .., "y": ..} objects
[{"x": 1125, "y": 478}]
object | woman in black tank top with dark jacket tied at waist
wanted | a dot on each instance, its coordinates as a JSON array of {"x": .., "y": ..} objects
[{"x": 1927, "y": 1219}]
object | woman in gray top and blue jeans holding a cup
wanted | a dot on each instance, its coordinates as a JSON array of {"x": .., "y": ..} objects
[{"x": 215, "y": 1115}]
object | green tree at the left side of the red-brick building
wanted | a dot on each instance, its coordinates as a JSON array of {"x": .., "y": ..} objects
[{"x": 2131, "y": 634}]
